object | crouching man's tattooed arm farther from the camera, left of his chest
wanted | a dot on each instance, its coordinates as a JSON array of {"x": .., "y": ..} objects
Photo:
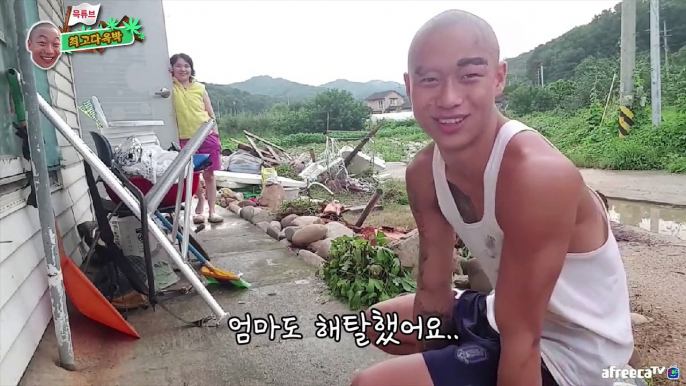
[{"x": 434, "y": 297}]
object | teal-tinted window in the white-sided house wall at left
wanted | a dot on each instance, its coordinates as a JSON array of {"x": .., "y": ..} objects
[{"x": 11, "y": 159}]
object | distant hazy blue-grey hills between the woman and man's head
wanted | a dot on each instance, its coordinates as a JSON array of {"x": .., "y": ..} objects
[{"x": 297, "y": 92}]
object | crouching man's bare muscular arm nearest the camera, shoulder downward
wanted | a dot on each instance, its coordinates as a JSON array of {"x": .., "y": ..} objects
[{"x": 537, "y": 215}]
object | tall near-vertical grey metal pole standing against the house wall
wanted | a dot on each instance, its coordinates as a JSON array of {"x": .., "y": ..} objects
[{"x": 41, "y": 181}]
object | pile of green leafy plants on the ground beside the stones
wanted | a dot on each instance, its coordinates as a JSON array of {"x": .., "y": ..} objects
[{"x": 363, "y": 273}]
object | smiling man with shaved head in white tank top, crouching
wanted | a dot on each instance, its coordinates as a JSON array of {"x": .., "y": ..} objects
[{"x": 559, "y": 313}]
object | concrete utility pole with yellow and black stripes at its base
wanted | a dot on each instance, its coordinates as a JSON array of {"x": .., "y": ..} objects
[{"x": 628, "y": 63}]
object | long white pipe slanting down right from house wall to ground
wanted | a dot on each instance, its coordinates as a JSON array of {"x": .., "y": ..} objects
[{"x": 129, "y": 200}]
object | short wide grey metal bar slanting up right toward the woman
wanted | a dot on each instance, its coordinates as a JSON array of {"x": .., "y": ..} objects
[{"x": 159, "y": 190}]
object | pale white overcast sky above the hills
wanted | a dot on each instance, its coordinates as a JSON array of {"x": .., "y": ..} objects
[{"x": 314, "y": 42}]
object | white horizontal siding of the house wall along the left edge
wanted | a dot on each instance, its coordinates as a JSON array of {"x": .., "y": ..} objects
[{"x": 25, "y": 309}]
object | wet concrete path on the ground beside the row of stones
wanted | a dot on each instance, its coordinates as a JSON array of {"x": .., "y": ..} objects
[{"x": 171, "y": 354}]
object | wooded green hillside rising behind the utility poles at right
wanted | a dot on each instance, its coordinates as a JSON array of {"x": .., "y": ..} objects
[{"x": 600, "y": 38}]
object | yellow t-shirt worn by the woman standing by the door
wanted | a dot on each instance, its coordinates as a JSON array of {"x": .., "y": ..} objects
[{"x": 189, "y": 106}]
